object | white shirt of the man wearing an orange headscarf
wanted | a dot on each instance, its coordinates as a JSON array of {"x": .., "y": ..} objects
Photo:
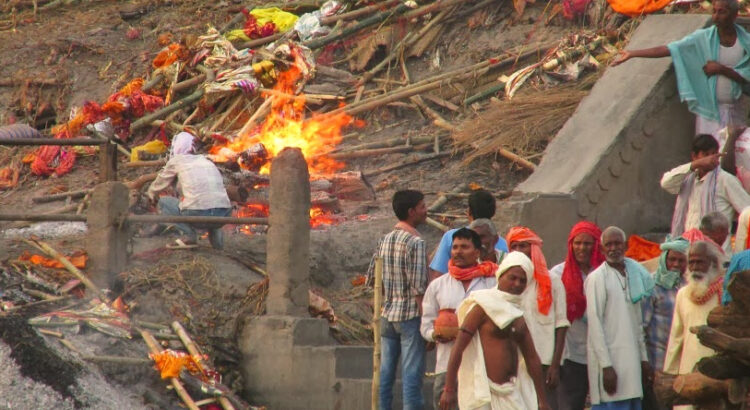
[{"x": 542, "y": 327}]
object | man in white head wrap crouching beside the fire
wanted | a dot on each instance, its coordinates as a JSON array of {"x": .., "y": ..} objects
[{"x": 200, "y": 185}]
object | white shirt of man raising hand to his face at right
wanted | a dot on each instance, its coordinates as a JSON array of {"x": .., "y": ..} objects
[{"x": 730, "y": 195}]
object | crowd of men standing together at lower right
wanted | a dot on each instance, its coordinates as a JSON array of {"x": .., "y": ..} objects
[{"x": 510, "y": 333}]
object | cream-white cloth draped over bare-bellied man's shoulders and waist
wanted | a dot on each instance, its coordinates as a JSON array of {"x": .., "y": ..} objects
[{"x": 475, "y": 390}]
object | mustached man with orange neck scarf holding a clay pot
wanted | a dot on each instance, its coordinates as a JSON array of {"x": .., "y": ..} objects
[{"x": 445, "y": 294}]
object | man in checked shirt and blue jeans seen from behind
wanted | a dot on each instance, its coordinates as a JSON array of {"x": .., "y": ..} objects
[{"x": 404, "y": 283}]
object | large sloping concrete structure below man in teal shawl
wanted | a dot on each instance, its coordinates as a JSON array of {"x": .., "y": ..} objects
[{"x": 606, "y": 162}]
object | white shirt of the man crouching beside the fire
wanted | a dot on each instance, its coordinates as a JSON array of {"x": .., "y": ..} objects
[{"x": 198, "y": 181}]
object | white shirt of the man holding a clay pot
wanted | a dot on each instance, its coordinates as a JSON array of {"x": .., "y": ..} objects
[{"x": 446, "y": 292}]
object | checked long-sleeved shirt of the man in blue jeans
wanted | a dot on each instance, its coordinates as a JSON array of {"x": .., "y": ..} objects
[{"x": 404, "y": 274}]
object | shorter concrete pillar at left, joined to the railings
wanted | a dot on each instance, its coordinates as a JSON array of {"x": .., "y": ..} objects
[{"x": 106, "y": 241}]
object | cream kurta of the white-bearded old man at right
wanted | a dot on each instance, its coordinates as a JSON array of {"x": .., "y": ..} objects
[{"x": 684, "y": 350}]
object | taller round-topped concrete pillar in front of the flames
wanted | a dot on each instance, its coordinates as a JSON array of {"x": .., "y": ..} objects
[{"x": 288, "y": 243}]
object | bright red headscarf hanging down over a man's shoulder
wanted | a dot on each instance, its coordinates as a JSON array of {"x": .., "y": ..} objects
[{"x": 571, "y": 278}]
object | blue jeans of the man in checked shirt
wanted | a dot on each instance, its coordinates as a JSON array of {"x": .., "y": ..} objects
[{"x": 402, "y": 339}]
